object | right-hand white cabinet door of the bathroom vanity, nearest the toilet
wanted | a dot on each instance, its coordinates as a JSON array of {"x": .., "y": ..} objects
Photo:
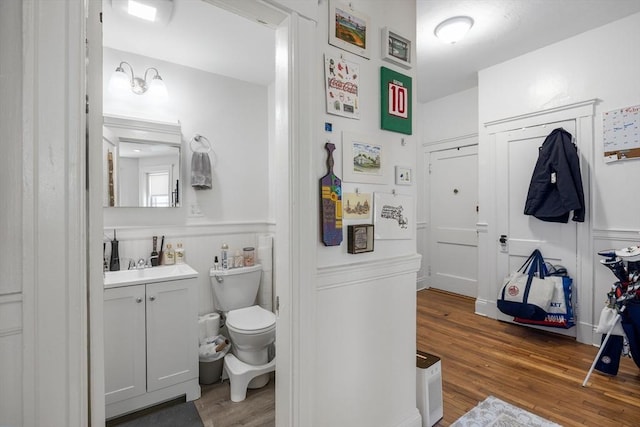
[{"x": 172, "y": 333}]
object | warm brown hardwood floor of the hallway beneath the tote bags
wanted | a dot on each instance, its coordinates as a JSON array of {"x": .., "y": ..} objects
[{"x": 537, "y": 371}]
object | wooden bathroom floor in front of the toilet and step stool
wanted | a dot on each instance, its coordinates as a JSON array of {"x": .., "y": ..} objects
[{"x": 217, "y": 410}]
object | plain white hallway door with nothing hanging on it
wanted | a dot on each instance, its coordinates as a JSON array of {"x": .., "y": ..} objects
[{"x": 454, "y": 213}]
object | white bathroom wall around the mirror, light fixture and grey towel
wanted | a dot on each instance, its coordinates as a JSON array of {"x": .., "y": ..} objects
[{"x": 234, "y": 116}]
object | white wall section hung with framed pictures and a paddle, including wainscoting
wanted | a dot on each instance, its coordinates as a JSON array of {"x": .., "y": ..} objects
[{"x": 365, "y": 303}]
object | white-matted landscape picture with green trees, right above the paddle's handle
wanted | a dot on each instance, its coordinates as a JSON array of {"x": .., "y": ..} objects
[{"x": 362, "y": 159}]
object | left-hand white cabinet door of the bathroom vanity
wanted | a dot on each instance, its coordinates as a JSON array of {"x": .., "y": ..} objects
[{"x": 124, "y": 343}]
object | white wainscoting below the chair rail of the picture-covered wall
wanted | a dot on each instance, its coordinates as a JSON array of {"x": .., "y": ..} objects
[{"x": 366, "y": 334}]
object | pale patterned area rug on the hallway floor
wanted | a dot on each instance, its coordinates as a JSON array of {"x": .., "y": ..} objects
[{"x": 493, "y": 412}]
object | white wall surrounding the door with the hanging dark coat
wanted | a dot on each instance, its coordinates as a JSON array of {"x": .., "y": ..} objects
[{"x": 596, "y": 64}]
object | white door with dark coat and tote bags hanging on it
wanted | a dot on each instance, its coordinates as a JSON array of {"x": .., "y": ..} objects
[{"x": 516, "y": 156}]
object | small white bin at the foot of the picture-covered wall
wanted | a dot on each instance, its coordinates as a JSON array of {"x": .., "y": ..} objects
[{"x": 429, "y": 388}]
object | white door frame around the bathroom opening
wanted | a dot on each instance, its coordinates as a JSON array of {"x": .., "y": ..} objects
[{"x": 295, "y": 251}]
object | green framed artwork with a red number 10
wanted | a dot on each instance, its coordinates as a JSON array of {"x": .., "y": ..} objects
[{"x": 395, "y": 101}]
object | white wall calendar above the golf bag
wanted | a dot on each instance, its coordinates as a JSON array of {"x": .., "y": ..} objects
[{"x": 621, "y": 134}]
